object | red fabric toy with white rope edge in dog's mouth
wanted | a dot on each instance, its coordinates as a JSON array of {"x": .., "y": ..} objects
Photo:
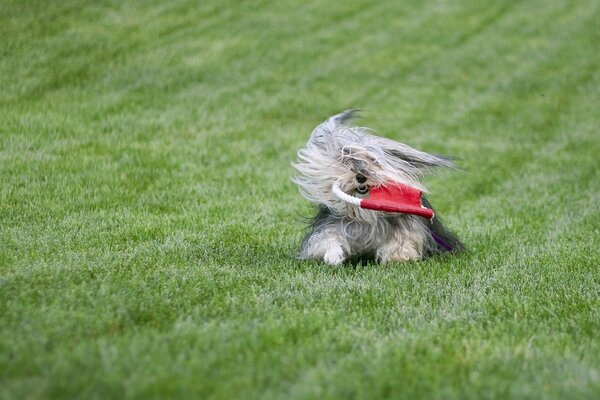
[{"x": 393, "y": 197}]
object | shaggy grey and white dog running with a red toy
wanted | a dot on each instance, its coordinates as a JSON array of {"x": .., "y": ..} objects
[{"x": 355, "y": 160}]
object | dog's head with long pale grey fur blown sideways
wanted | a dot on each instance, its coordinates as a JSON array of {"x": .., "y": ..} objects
[{"x": 356, "y": 160}]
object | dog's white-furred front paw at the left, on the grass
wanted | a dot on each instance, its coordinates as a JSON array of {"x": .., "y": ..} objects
[{"x": 325, "y": 245}]
